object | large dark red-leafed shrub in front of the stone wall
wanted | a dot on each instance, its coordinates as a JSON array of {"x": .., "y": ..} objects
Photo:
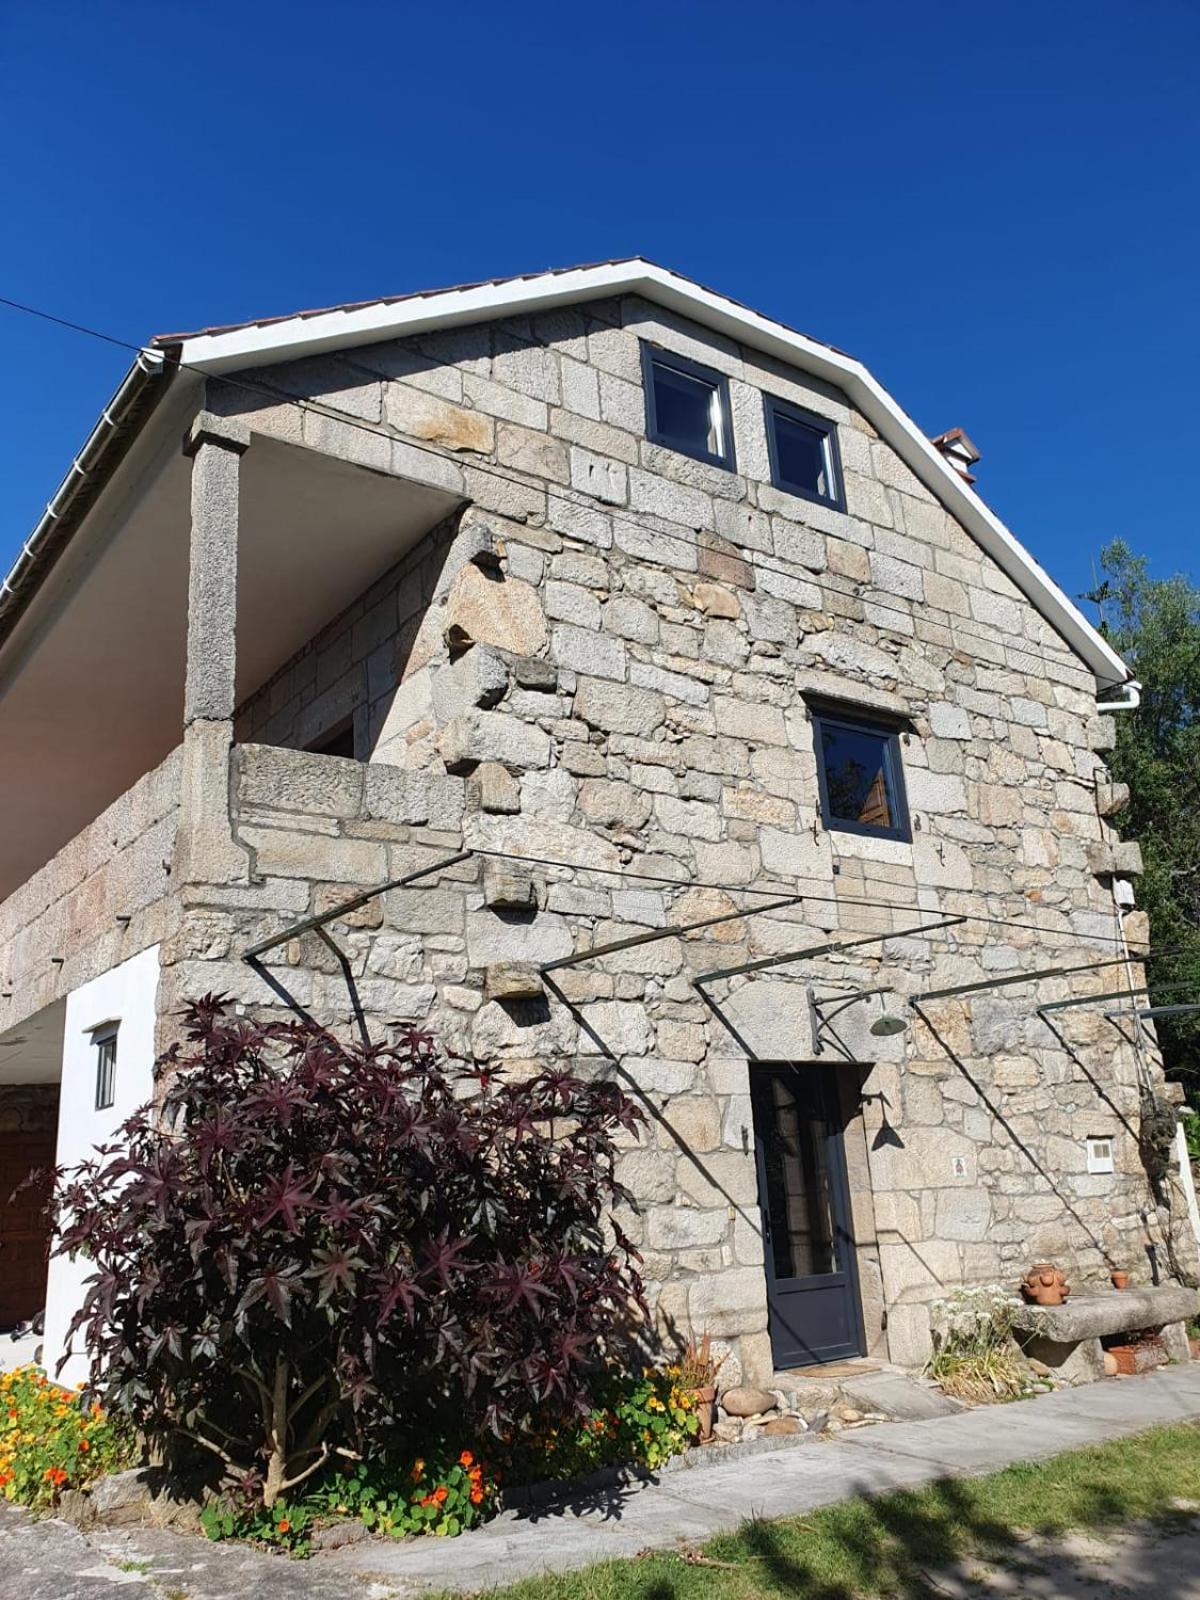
[{"x": 318, "y": 1250}]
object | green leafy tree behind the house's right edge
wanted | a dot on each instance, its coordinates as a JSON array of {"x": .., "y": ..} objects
[{"x": 1156, "y": 626}]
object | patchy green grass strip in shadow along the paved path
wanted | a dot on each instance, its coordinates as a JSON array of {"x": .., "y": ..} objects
[{"x": 884, "y": 1548}]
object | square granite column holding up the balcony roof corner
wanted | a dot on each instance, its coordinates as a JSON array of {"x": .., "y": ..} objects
[{"x": 215, "y": 446}]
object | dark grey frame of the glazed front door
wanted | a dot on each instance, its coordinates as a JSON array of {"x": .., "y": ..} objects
[{"x": 830, "y": 1103}]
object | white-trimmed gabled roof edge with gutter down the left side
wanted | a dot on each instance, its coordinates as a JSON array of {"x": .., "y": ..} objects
[{"x": 268, "y": 342}]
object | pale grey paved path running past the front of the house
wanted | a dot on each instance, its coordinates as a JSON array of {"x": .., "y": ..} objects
[{"x": 52, "y": 1562}]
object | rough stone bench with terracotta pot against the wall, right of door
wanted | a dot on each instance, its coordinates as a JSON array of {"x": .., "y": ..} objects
[{"x": 1068, "y": 1338}]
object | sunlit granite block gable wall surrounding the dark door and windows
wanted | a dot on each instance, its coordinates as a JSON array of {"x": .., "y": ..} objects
[{"x": 599, "y": 678}]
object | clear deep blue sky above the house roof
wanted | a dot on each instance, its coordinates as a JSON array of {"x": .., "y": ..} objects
[{"x": 993, "y": 206}]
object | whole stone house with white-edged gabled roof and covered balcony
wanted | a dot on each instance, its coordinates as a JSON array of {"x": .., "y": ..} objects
[{"x": 588, "y": 668}]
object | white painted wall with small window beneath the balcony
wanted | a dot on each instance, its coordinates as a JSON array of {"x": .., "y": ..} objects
[{"x": 126, "y": 996}]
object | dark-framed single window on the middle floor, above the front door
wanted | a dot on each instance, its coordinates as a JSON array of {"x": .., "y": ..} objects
[{"x": 860, "y": 775}]
